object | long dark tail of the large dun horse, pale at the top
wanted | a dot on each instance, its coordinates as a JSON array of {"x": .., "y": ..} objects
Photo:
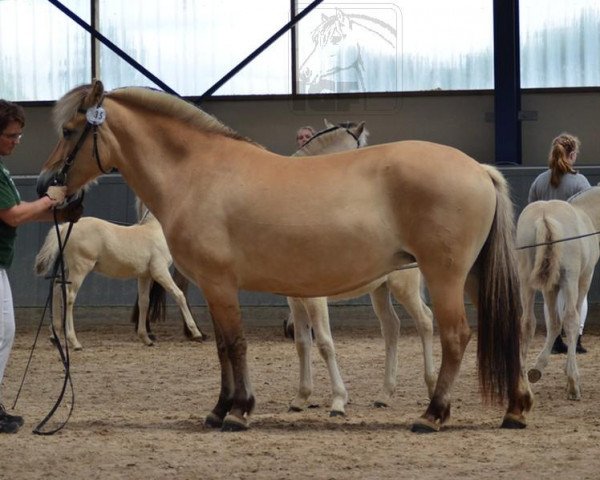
[{"x": 499, "y": 308}]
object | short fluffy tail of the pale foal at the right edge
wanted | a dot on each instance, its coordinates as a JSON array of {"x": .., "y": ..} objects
[{"x": 546, "y": 264}]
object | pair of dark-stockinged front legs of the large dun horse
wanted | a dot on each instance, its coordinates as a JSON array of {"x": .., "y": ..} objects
[{"x": 236, "y": 399}]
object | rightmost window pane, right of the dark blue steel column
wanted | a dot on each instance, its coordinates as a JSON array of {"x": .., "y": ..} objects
[{"x": 560, "y": 43}]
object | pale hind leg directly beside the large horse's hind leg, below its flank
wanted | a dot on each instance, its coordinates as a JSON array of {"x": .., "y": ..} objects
[{"x": 406, "y": 287}]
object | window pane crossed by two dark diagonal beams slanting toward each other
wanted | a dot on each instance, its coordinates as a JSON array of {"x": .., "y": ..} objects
[{"x": 190, "y": 45}]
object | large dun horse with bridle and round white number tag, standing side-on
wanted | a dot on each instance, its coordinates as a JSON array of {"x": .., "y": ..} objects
[{"x": 237, "y": 216}]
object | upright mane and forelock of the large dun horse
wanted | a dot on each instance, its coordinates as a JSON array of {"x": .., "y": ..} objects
[{"x": 149, "y": 99}]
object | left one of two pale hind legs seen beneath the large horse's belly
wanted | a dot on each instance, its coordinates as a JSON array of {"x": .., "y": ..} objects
[{"x": 390, "y": 330}]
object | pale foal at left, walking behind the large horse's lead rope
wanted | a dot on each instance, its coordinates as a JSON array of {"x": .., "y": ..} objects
[{"x": 116, "y": 251}]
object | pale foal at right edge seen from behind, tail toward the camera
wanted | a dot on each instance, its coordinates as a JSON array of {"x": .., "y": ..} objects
[{"x": 553, "y": 266}]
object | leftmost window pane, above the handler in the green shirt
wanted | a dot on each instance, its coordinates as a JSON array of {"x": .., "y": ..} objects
[{"x": 43, "y": 53}]
